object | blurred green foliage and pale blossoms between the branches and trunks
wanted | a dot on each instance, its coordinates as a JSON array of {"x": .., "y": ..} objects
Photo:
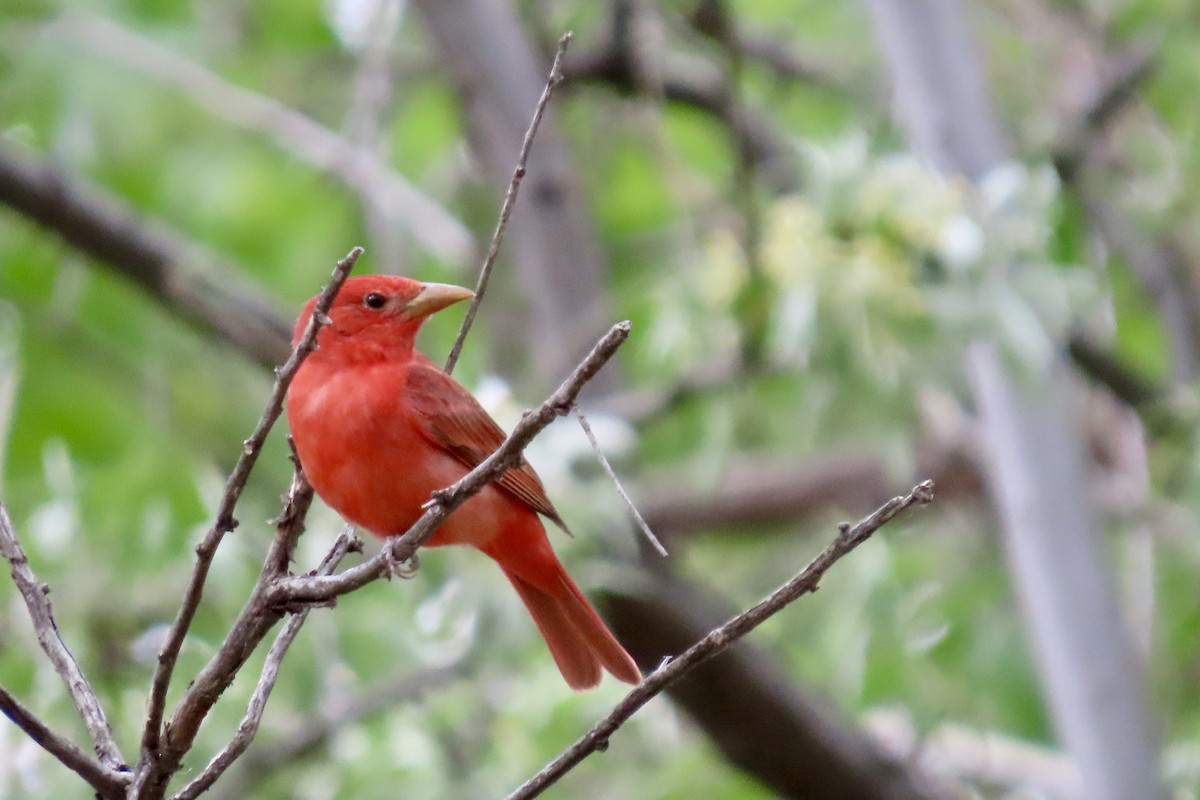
[{"x": 121, "y": 422}]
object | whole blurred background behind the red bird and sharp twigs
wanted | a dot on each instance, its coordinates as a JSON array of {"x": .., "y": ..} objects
[{"x": 806, "y": 280}]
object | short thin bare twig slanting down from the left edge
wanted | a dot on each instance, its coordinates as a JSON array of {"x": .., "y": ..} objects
[{"x": 38, "y": 600}]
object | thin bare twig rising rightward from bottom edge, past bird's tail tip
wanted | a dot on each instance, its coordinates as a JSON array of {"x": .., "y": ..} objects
[{"x": 806, "y": 582}]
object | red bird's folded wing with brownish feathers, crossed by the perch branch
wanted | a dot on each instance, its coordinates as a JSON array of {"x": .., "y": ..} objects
[{"x": 454, "y": 420}]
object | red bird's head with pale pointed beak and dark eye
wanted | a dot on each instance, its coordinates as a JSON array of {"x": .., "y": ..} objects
[{"x": 379, "y": 315}]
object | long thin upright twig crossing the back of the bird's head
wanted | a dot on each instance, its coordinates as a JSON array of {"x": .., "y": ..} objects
[{"x": 225, "y": 520}]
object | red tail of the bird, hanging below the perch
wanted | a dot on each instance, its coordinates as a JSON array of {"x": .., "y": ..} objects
[{"x": 578, "y": 639}]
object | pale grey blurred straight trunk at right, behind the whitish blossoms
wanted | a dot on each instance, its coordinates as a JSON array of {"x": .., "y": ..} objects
[{"x": 1095, "y": 685}]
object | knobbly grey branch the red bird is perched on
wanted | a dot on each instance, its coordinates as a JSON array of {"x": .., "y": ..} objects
[{"x": 401, "y": 549}]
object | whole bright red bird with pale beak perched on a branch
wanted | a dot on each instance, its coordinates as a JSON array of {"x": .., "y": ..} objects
[{"x": 379, "y": 428}]
